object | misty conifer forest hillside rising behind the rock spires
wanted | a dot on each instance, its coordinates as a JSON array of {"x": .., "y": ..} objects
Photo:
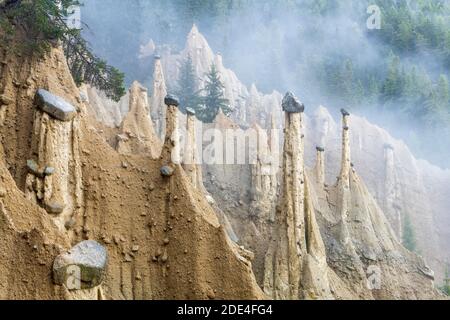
[{"x": 397, "y": 75}]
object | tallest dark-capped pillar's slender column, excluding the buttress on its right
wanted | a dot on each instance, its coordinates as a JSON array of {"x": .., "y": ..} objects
[{"x": 282, "y": 279}]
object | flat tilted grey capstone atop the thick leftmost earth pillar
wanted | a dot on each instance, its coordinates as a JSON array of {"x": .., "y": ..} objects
[{"x": 55, "y": 106}]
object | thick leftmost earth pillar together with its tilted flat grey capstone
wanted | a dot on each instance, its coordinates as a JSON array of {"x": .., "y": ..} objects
[{"x": 54, "y": 161}]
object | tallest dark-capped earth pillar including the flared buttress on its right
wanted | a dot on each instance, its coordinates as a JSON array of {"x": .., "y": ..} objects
[{"x": 296, "y": 257}]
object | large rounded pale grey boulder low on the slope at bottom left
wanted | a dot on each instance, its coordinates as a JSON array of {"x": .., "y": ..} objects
[{"x": 82, "y": 267}]
